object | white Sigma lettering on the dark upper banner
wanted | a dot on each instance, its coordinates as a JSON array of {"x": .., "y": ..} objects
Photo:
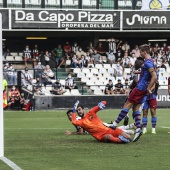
[{"x": 136, "y": 19}]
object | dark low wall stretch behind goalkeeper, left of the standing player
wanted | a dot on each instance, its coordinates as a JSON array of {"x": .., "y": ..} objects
[{"x": 64, "y": 102}]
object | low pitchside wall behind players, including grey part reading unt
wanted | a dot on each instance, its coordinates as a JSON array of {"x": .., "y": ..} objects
[{"x": 113, "y": 102}]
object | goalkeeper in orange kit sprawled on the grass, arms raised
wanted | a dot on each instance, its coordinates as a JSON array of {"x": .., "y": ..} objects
[{"x": 94, "y": 126}]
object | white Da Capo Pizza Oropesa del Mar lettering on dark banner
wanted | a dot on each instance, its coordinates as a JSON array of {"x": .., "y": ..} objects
[{"x": 66, "y": 19}]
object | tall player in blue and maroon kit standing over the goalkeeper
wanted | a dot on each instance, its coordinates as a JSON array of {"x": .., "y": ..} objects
[{"x": 144, "y": 86}]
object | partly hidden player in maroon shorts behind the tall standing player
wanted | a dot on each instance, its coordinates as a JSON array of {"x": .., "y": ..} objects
[{"x": 151, "y": 103}]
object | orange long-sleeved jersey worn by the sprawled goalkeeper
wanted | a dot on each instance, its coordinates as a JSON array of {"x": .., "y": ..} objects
[{"x": 92, "y": 124}]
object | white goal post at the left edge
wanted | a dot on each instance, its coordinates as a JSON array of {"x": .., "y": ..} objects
[{"x": 1, "y": 96}]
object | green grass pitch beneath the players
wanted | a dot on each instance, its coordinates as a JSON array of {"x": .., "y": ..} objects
[{"x": 36, "y": 141}]
